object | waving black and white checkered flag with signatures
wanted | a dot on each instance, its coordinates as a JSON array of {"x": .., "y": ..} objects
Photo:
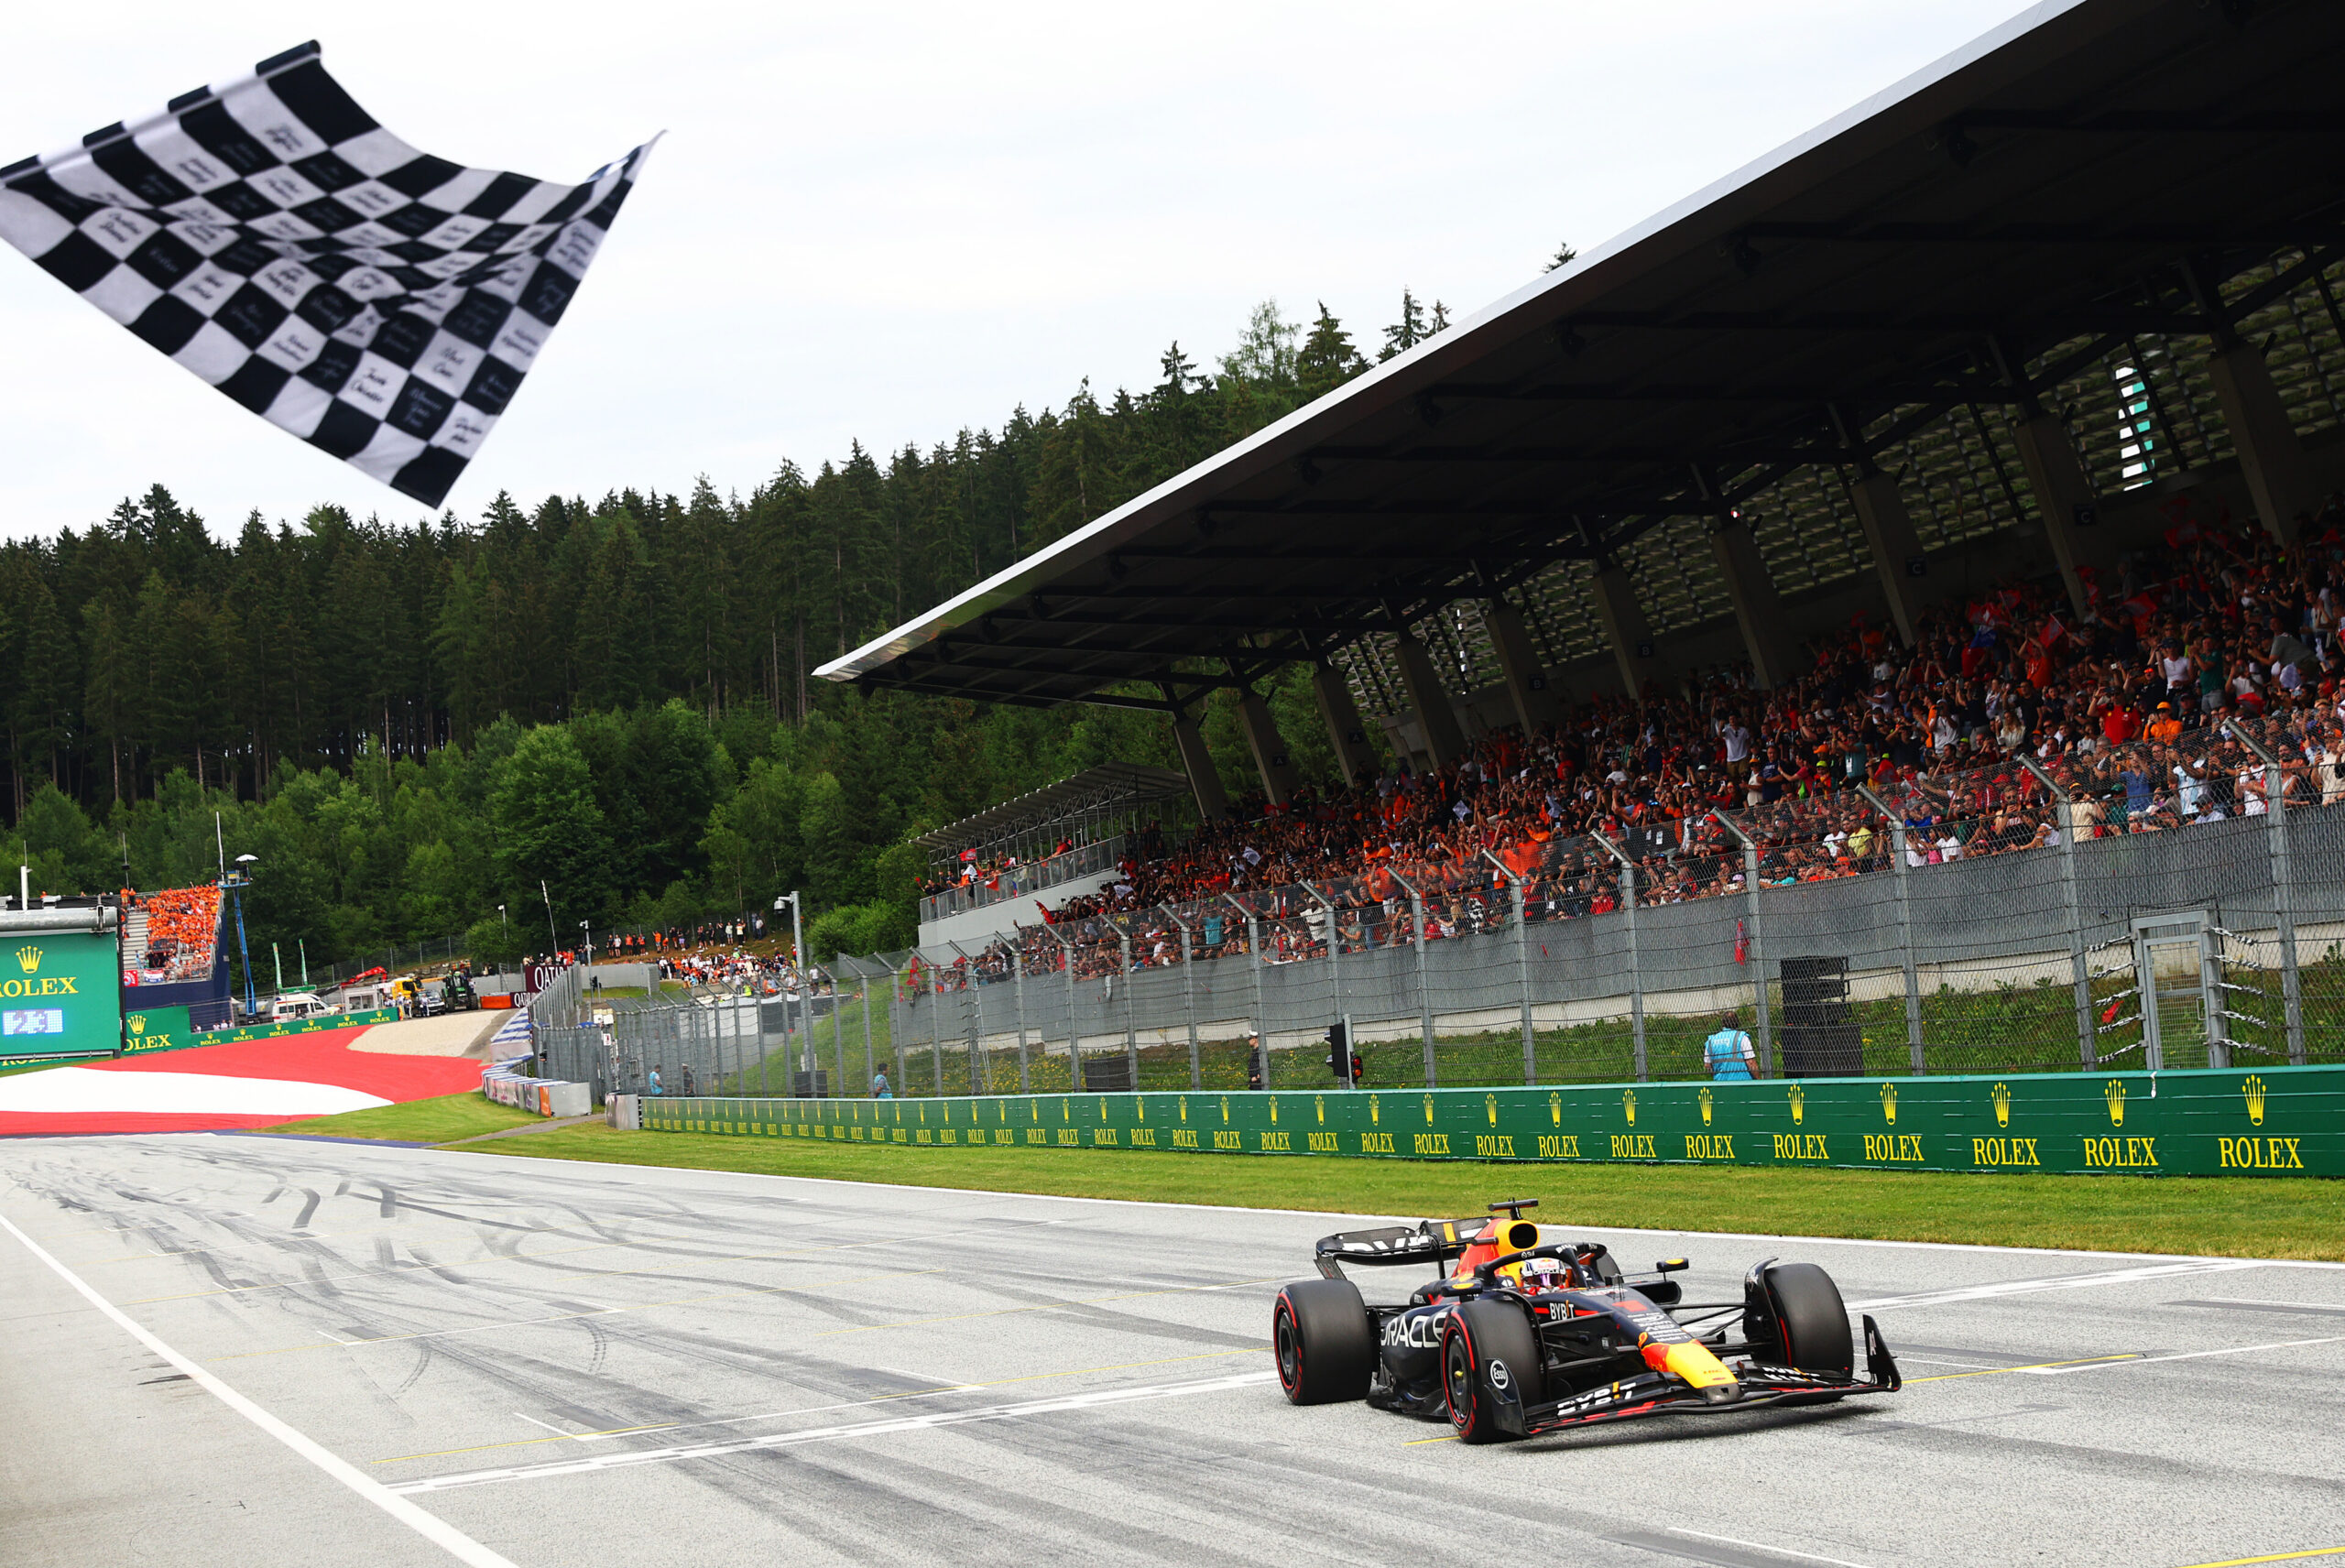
[{"x": 276, "y": 240}]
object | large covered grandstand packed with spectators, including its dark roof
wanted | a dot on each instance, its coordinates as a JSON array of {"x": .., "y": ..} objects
[{"x": 1943, "y": 486}]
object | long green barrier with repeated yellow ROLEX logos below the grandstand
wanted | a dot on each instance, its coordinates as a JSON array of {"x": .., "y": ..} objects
[{"x": 2271, "y": 1122}]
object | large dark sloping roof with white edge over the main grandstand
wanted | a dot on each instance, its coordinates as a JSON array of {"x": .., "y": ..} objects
[{"x": 2076, "y": 182}]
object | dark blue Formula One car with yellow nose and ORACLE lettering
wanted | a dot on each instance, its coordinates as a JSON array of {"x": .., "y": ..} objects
[{"x": 1528, "y": 1337}]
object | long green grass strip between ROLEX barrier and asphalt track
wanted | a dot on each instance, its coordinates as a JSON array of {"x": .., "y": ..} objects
[{"x": 2262, "y": 1220}]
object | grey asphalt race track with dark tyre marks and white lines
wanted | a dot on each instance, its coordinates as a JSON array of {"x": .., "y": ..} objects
[{"x": 355, "y": 1349}]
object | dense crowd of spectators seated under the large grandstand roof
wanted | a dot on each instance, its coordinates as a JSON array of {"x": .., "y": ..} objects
[{"x": 2130, "y": 709}]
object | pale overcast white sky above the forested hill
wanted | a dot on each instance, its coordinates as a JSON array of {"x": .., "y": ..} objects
[{"x": 892, "y": 221}]
